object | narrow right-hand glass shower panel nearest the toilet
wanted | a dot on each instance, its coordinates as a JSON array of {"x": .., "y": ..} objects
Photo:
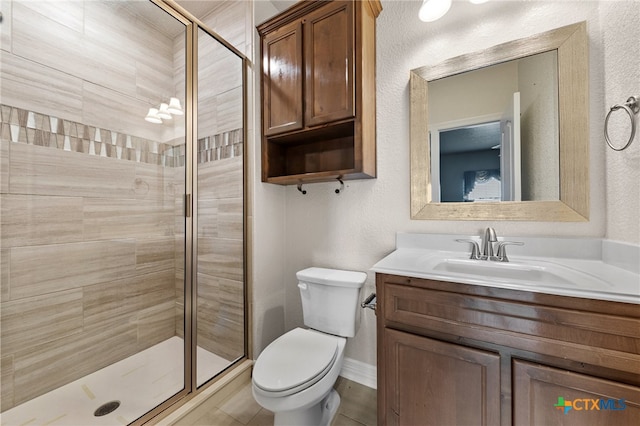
[{"x": 220, "y": 298}]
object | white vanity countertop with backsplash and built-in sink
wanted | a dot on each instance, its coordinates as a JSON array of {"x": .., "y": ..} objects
[{"x": 575, "y": 268}]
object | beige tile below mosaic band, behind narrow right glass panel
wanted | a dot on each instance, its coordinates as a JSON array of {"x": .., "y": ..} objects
[{"x": 220, "y": 315}]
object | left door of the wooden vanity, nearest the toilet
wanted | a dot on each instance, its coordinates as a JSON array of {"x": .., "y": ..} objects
[{"x": 430, "y": 382}]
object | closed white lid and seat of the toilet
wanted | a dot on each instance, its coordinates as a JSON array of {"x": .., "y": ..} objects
[{"x": 295, "y": 361}]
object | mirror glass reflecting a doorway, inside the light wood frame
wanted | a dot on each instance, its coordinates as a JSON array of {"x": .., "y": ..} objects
[{"x": 494, "y": 133}]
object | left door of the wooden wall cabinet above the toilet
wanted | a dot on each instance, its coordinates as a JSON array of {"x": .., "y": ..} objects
[{"x": 282, "y": 80}]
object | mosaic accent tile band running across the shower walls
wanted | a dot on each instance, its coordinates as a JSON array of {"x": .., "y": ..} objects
[{"x": 32, "y": 128}]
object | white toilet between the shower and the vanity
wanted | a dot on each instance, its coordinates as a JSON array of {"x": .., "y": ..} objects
[{"x": 294, "y": 376}]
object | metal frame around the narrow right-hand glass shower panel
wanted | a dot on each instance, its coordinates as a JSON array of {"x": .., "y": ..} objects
[{"x": 192, "y": 24}]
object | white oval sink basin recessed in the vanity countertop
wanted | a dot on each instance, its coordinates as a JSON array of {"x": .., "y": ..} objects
[{"x": 534, "y": 272}]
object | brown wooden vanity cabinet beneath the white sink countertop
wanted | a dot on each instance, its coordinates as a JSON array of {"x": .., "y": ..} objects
[{"x": 457, "y": 354}]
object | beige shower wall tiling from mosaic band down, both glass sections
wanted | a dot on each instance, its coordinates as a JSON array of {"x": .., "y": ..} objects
[{"x": 91, "y": 247}]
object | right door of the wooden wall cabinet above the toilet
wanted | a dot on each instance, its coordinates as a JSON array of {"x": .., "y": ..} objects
[{"x": 329, "y": 58}]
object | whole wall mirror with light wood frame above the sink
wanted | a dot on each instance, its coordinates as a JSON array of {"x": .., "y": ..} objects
[{"x": 517, "y": 151}]
